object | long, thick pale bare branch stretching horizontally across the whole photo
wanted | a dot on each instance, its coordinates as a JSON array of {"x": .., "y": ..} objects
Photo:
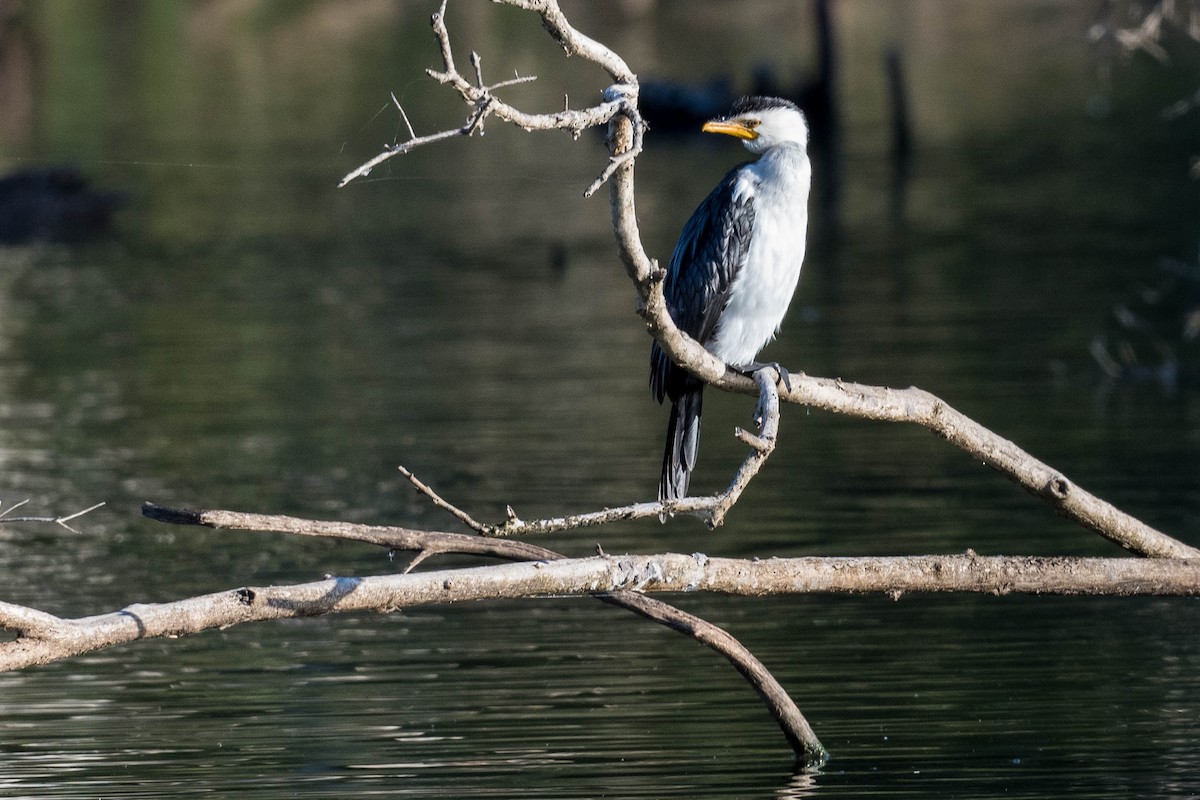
[{"x": 46, "y": 639}]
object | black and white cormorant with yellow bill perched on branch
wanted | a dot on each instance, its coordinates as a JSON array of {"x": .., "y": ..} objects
[{"x": 736, "y": 267}]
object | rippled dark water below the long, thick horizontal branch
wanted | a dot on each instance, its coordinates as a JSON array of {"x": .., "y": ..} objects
[{"x": 565, "y": 700}]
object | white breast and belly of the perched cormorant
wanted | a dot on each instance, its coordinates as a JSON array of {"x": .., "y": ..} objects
[{"x": 763, "y": 290}]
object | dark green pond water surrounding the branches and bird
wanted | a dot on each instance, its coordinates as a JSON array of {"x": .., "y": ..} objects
[{"x": 251, "y": 338}]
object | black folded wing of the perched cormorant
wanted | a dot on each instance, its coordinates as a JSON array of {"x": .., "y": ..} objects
[{"x": 711, "y": 250}]
